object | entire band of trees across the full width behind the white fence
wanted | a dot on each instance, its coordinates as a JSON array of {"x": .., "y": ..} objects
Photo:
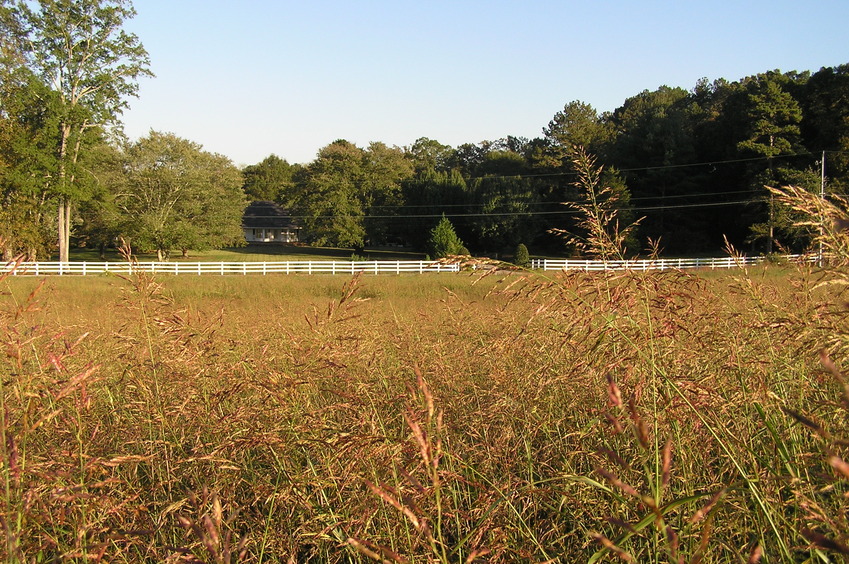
[{"x": 689, "y": 166}]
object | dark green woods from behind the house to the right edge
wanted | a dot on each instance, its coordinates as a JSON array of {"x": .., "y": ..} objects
[{"x": 691, "y": 165}]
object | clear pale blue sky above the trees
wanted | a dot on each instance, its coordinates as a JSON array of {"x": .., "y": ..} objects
[{"x": 256, "y": 77}]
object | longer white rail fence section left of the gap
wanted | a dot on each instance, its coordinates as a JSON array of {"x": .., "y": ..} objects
[{"x": 224, "y": 268}]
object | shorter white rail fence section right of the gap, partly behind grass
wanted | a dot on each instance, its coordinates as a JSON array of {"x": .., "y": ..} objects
[{"x": 661, "y": 263}]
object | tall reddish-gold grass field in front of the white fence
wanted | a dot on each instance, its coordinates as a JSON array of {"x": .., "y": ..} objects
[{"x": 589, "y": 417}]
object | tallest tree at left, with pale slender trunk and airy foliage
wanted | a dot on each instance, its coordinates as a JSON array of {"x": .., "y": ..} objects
[{"x": 79, "y": 50}]
